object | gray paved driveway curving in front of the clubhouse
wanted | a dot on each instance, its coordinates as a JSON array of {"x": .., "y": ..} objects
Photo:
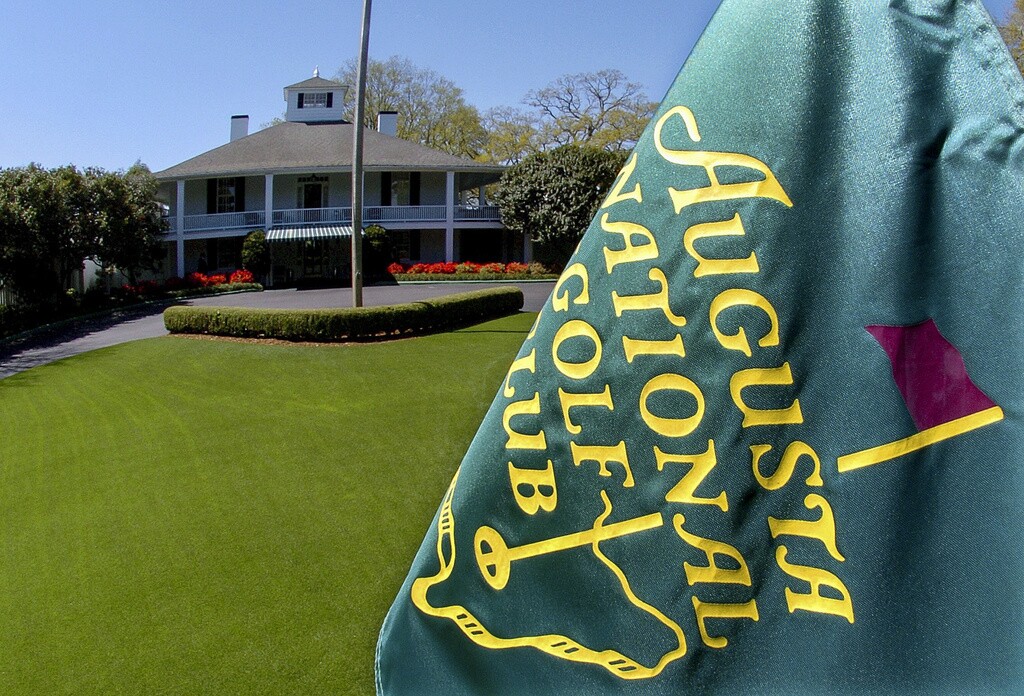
[{"x": 145, "y": 323}]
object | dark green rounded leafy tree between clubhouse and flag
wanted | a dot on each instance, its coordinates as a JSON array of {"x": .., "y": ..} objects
[{"x": 553, "y": 196}]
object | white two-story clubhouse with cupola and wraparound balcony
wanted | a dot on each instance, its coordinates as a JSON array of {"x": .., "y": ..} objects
[{"x": 294, "y": 182}]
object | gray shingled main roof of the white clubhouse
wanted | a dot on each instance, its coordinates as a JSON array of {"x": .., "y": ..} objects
[{"x": 311, "y": 148}]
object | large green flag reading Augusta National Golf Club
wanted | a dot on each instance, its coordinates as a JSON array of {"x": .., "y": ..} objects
[{"x": 766, "y": 436}]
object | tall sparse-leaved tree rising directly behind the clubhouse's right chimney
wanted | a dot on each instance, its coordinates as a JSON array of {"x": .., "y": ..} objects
[{"x": 433, "y": 111}]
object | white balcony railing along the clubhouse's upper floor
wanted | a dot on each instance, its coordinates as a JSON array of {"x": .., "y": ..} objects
[{"x": 371, "y": 214}]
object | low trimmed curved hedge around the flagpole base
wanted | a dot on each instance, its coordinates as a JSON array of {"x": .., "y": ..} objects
[{"x": 364, "y": 324}]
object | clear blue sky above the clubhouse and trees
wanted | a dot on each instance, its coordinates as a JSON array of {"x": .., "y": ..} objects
[{"x": 106, "y": 83}]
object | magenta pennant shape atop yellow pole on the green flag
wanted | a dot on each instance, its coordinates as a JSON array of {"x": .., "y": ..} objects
[{"x": 930, "y": 374}]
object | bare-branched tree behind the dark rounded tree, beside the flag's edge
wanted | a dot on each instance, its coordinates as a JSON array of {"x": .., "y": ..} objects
[{"x": 602, "y": 109}]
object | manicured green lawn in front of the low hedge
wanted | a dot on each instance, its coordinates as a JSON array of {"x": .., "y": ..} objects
[{"x": 183, "y": 516}]
